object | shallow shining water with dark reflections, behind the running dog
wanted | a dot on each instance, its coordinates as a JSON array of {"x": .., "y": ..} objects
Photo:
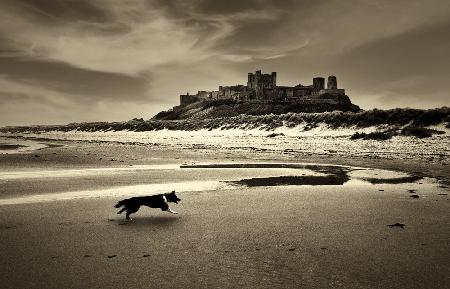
[{"x": 224, "y": 176}]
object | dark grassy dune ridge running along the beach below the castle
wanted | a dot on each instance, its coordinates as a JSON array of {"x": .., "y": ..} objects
[{"x": 222, "y": 115}]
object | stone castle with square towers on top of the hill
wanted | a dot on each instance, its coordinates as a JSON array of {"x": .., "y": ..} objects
[{"x": 263, "y": 88}]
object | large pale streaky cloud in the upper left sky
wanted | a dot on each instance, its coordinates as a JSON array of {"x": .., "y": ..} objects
[{"x": 134, "y": 48}]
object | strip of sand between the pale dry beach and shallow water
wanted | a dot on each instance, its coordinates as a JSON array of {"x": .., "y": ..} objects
[{"x": 439, "y": 170}]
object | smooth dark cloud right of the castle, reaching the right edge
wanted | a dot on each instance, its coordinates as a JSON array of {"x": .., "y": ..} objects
[{"x": 419, "y": 52}]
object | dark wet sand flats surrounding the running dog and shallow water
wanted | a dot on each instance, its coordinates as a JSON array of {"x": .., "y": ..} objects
[{"x": 248, "y": 237}]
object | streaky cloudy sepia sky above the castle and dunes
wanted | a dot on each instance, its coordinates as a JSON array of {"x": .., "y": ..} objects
[{"x": 65, "y": 61}]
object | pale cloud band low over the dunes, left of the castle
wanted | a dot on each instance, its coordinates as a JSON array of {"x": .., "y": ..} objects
[{"x": 29, "y": 103}]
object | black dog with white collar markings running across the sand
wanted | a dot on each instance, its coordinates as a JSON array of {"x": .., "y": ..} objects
[{"x": 132, "y": 205}]
